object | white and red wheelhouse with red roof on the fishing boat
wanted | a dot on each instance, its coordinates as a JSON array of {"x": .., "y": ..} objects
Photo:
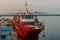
[{"x": 27, "y": 19}]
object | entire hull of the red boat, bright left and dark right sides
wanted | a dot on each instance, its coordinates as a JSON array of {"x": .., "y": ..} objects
[{"x": 23, "y": 31}]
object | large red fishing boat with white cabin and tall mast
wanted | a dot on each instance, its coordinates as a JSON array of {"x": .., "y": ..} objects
[{"x": 27, "y": 25}]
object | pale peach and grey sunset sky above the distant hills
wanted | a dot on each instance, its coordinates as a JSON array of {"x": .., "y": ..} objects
[{"x": 48, "y": 6}]
